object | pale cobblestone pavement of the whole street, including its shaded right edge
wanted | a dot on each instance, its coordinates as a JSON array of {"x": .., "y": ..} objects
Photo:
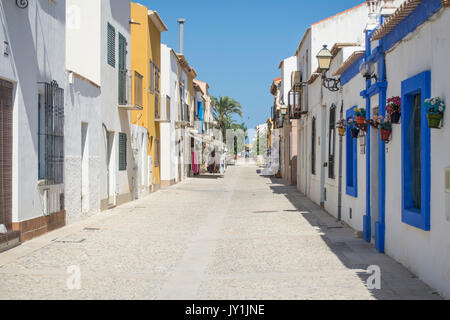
[{"x": 241, "y": 236}]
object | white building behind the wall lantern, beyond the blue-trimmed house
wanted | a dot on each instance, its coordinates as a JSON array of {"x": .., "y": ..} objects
[{"x": 346, "y": 28}]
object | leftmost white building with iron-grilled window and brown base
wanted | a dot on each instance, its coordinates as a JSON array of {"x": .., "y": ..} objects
[{"x": 32, "y": 138}]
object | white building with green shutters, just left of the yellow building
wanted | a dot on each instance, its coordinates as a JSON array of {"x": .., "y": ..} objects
[{"x": 104, "y": 166}]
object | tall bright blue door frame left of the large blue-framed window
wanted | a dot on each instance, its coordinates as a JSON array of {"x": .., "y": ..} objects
[{"x": 380, "y": 87}]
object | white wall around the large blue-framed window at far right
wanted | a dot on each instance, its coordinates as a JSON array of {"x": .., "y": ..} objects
[{"x": 424, "y": 253}]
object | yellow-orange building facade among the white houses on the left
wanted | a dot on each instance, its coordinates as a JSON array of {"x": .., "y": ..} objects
[{"x": 146, "y": 29}]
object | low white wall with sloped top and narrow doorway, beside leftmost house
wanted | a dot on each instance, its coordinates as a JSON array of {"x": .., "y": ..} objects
[{"x": 82, "y": 107}]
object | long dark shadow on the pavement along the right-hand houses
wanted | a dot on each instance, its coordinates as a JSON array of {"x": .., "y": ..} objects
[{"x": 354, "y": 253}]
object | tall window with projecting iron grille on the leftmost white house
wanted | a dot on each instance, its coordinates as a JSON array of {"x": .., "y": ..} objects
[{"x": 51, "y": 133}]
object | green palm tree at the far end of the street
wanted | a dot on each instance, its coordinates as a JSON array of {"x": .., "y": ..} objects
[{"x": 224, "y": 109}]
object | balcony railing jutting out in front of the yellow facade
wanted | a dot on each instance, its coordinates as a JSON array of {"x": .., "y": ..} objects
[{"x": 130, "y": 82}]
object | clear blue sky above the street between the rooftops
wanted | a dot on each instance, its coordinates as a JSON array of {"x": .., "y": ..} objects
[{"x": 237, "y": 45}]
